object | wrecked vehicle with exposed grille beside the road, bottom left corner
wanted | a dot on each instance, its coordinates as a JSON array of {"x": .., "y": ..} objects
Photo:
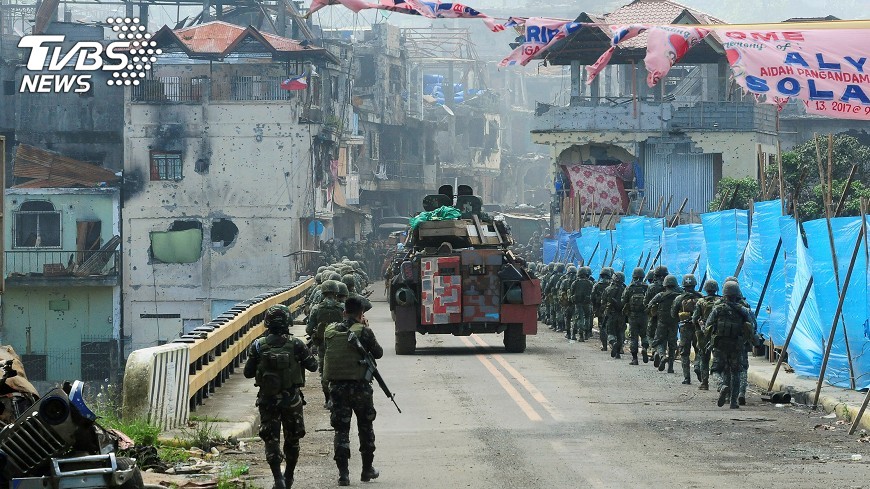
[{"x": 54, "y": 441}]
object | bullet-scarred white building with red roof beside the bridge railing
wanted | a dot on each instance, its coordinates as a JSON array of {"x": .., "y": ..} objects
[{"x": 226, "y": 165}]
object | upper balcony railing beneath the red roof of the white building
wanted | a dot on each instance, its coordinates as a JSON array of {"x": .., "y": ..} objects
[{"x": 174, "y": 89}]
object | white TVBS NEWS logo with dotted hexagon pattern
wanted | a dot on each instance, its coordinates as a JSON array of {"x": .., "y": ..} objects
[{"x": 58, "y": 69}]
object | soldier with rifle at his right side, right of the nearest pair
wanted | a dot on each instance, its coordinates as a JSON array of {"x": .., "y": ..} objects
[{"x": 349, "y": 390}]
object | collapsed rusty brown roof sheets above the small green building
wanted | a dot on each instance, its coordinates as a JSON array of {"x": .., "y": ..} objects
[{"x": 48, "y": 169}]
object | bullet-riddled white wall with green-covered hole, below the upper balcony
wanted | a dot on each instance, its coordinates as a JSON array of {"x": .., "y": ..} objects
[{"x": 212, "y": 229}]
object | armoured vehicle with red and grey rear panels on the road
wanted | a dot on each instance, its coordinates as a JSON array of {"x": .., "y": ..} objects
[{"x": 459, "y": 276}]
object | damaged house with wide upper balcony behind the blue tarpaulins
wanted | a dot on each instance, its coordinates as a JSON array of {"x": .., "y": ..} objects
[{"x": 686, "y": 133}]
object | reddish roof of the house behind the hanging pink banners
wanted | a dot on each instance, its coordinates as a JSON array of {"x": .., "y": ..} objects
[{"x": 656, "y": 12}]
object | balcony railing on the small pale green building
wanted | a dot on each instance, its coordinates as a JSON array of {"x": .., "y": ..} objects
[{"x": 62, "y": 265}]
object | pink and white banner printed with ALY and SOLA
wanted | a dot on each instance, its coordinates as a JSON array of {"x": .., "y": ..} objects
[{"x": 826, "y": 69}]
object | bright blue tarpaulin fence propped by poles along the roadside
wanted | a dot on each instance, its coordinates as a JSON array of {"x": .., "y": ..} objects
[{"x": 718, "y": 244}]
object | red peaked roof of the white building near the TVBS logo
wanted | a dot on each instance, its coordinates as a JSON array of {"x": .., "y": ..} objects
[{"x": 218, "y": 39}]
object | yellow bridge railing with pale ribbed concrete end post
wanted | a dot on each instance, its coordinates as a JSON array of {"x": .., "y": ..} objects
[{"x": 164, "y": 383}]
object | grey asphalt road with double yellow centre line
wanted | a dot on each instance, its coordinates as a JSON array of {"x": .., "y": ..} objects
[{"x": 567, "y": 415}]
